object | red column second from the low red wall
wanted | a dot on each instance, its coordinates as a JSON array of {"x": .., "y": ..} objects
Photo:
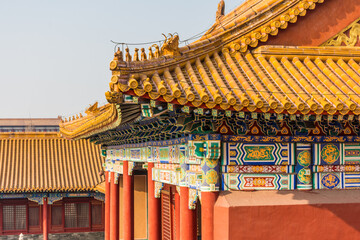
[{"x": 187, "y": 217}]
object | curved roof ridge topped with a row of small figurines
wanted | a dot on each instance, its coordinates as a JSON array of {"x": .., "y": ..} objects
[{"x": 240, "y": 32}]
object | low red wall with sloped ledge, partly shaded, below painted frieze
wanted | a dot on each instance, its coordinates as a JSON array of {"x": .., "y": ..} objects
[{"x": 317, "y": 214}]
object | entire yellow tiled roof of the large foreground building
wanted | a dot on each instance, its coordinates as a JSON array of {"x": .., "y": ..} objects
[{"x": 233, "y": 67}]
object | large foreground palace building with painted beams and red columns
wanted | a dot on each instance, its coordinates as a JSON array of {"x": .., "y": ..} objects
[{"x": 267, "y": 100}]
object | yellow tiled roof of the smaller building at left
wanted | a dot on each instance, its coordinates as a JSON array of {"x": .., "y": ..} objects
[{"x": 38, "y": 162}]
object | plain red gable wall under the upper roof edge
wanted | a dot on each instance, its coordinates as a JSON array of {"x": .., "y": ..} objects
[{"x": 318, "y": 25}]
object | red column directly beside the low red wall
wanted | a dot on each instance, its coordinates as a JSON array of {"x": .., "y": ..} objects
[{"x": 208, "y": 200}]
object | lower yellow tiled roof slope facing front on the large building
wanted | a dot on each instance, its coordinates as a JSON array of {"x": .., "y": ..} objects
[{"x": 279, "y": 79}]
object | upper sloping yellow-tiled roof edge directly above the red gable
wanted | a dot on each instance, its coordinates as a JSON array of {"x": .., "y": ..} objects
[{"x": 253, "y": 17}]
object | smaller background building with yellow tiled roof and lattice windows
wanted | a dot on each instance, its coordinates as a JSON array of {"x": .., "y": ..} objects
[{"x": 49, "y": 187}]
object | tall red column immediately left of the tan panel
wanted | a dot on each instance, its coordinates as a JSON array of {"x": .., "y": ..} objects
[{"x": 128, "y": 207}]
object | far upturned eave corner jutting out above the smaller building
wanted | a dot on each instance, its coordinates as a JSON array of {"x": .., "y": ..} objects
[{"x": 99, "y": 120}]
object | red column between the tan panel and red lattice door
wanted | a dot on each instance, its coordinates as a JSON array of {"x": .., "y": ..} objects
[{"x": 154, "y": 214}]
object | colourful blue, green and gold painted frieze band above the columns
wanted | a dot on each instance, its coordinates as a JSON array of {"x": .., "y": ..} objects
[{"x": 248, "y": 163}]
